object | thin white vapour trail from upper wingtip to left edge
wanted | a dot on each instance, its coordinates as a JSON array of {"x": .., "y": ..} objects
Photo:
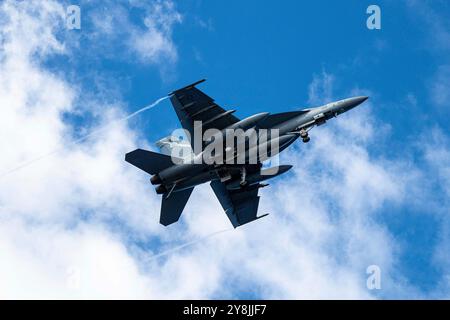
[{"x": 106, "y": 127}]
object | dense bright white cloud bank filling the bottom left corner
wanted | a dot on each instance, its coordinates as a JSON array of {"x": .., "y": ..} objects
[{"x": 49, "y": 262}]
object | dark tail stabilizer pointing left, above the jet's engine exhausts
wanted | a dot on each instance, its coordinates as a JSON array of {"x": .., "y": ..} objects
[{"x": 150, "y": 162}]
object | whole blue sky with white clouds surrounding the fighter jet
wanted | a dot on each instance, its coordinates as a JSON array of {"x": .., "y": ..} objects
[{"x": 371, "y": 188}]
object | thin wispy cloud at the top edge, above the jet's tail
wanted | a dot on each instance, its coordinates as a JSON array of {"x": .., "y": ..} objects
[{"x": 147, "y": 37}]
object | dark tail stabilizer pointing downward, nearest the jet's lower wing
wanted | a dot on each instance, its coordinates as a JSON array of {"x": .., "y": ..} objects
[{"x": 172, "y": 206}]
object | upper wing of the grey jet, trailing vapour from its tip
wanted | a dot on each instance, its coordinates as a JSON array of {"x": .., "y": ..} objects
[{"x": 191, "y": 105}]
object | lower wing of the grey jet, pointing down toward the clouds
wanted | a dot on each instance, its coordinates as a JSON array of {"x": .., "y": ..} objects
[{"x": 241, "y": 206}]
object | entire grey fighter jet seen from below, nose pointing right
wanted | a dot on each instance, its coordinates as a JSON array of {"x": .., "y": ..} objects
[{"x": 235, "y": 183}]
